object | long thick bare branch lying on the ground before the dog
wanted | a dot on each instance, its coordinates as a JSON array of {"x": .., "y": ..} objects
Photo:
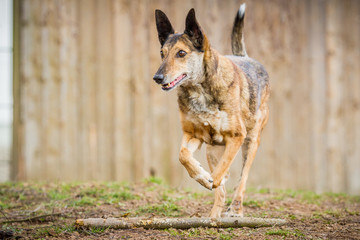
[{"x": 180, "y": 223}]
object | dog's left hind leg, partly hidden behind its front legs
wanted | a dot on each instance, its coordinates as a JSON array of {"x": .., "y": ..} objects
[{"x": 213, "y": 155}]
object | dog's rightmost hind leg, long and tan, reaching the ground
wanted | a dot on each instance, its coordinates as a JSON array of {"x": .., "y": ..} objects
[{"x": 249, "y": 149}]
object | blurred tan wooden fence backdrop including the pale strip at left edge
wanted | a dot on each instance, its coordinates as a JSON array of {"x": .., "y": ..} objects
[{"x": 78, "y": 103}]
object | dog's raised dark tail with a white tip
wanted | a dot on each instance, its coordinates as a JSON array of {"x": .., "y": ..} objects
[{"x": 237, "y": 36}]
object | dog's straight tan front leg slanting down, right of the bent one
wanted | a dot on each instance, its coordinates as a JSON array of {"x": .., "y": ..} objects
[{"x": 232, "y": 147}]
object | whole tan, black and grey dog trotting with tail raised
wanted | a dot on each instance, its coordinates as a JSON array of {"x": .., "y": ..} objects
[{"x": 222, "y": 102}]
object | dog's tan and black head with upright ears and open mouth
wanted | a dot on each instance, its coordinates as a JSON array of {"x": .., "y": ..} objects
[{"x": 182, "y": 54}]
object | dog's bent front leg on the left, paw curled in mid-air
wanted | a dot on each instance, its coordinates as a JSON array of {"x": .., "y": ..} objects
[{"x": 188, "y": 147}]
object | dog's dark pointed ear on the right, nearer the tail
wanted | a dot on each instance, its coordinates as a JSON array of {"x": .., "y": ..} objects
[{"x": 193, "y": 30}]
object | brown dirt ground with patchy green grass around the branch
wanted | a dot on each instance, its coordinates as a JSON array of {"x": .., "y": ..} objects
[{"x": 49, "y": 210}]
